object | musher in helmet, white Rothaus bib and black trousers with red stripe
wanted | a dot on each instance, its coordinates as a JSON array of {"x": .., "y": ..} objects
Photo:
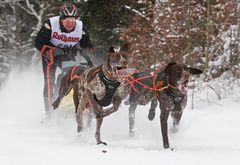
[{"x": 57, "y": 41}]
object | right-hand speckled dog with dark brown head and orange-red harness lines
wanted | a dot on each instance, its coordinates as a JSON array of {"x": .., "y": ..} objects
[{"x": 168, "y": 87}]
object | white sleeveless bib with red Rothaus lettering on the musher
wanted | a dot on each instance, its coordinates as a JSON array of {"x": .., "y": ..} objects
[{"x": 62, "y": 39}]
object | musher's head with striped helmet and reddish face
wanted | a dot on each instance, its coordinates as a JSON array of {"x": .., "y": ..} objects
[{"x": 68, "y": 15}]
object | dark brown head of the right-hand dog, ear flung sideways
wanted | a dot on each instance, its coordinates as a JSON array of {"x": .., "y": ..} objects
[{"x": 178, "y": 75}]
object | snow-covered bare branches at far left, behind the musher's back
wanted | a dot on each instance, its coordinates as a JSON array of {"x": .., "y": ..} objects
[{"x": 20, "y": 20}]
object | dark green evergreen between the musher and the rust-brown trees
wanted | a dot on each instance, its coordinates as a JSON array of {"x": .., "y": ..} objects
[{"x": 105, "y": 20}]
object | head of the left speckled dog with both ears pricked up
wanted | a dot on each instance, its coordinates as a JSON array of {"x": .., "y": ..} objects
[{"x": 117, "y": 61}]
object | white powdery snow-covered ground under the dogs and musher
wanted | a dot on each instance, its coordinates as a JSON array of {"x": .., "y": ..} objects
[{"x": 209, "y": 134}]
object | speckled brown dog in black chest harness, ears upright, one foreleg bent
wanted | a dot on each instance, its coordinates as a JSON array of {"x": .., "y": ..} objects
[{"x": 100, "y": 87}]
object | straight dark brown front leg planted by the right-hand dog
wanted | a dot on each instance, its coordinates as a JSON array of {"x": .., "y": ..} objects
[{"x": 164, "y": 126}]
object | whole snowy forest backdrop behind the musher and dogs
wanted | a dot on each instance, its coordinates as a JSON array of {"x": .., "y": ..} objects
[{"x": 200, "y": 33}]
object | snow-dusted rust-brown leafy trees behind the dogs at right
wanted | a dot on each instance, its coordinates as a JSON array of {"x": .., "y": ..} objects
[{"x": 199, "y": 33}]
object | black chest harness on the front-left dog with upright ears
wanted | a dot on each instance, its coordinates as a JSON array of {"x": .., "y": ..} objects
[{"x": 111, "y": 87}]
